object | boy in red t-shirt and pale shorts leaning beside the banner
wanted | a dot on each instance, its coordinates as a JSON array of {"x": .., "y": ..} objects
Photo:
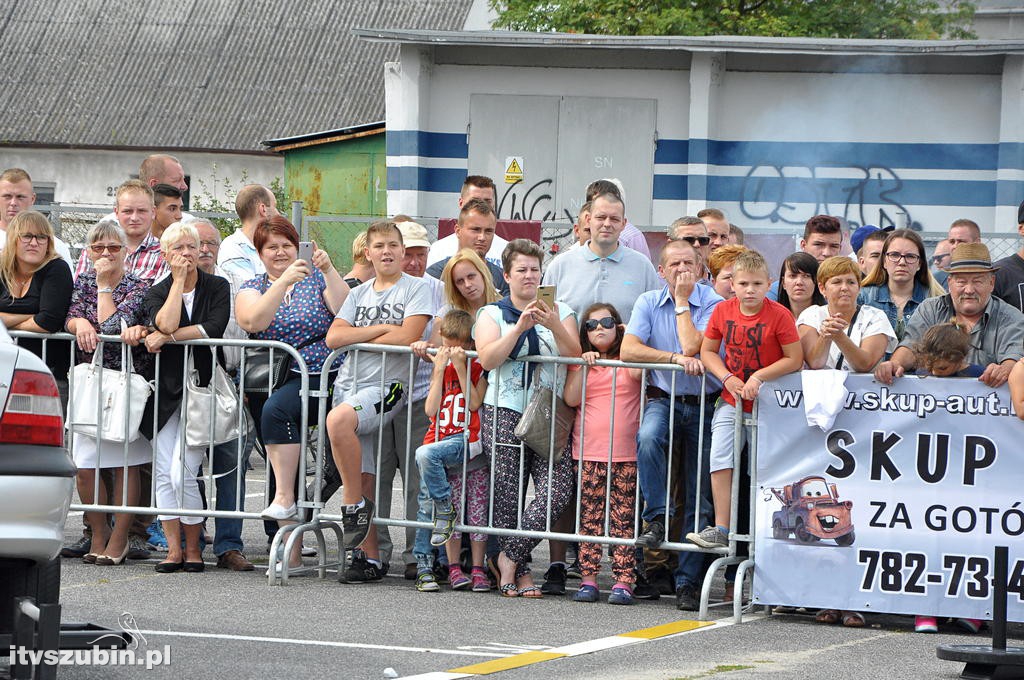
[{"x": 761, "y": 345}]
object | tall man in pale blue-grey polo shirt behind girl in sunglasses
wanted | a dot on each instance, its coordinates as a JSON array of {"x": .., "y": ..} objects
[{"x": 603, "y": 270}]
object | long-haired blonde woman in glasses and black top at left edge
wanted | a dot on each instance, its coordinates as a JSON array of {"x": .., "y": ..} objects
[{"x": 35, "y": 290}]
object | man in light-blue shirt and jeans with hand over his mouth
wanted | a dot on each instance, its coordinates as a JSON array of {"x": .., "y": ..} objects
[{"x": 667, "y": 327}]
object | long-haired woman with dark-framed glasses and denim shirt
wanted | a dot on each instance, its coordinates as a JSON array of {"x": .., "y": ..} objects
[{"x": 901, "y": 280}]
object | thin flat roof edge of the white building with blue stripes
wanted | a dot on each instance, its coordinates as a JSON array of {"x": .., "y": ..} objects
[{"x": 694, "y": 44}]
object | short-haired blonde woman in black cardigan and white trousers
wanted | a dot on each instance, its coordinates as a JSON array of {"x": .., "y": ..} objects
[{"x": 187, "y": 306}]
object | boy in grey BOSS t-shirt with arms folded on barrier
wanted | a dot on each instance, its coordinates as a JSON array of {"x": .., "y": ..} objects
[{"x": 393, "y": 309}]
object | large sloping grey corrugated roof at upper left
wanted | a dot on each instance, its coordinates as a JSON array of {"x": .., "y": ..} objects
[{"x": 197, "y": 74}]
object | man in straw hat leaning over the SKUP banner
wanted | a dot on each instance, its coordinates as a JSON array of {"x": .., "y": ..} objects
[{"x": 997, "y": 329}]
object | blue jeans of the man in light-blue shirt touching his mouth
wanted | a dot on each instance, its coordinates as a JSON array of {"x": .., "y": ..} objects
[{"x": 653, "y": 470}]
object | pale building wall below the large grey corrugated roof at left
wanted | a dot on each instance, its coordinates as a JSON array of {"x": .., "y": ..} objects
[{"x": 90, "y": 178}]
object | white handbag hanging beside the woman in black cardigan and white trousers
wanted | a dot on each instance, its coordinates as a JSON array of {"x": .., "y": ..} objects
[{"x": 211, "y": 412}]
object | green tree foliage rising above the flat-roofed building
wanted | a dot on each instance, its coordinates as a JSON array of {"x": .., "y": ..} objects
[{"x": 917, "y": 20}]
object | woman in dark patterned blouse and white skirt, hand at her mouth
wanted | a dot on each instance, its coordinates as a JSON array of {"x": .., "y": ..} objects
[{"x": 108, "y": 301}]
